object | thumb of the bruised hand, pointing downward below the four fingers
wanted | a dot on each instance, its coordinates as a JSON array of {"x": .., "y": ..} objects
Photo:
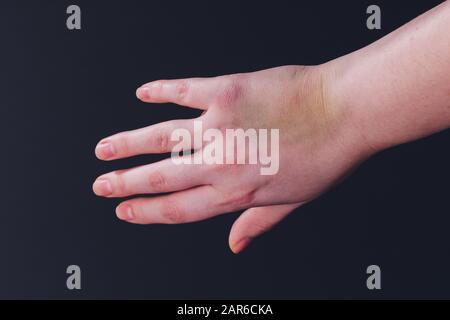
[{"x": 256, "y": 221}]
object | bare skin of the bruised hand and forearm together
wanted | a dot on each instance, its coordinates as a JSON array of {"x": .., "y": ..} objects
[{"x": 331, "y": 117}]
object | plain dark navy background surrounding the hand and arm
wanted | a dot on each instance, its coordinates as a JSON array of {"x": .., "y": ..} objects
[{"x": 61, "y": 91}]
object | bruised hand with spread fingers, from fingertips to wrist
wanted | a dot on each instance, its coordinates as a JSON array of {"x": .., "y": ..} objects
[{"x": 317, "y": 147}]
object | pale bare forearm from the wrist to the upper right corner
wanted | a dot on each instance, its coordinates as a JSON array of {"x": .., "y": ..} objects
[{"x": 397, "y": 89}]
